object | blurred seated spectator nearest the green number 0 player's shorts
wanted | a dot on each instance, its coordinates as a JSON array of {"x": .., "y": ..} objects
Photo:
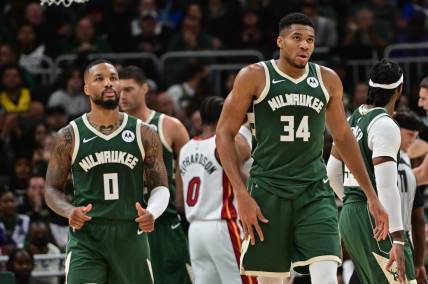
[{"x": 38, "y": 242}]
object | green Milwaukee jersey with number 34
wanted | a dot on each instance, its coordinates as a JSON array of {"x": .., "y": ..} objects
[{"x": 288, "y": 122}]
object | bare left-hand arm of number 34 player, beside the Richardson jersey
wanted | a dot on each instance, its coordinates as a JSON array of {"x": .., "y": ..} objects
[{"x": 248, "y": 83}]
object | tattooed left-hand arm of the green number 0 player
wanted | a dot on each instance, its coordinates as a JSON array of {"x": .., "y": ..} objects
[{"x": 56, "y": 177}]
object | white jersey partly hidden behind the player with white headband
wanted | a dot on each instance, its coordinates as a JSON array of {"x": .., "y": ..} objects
[{"x": 407, "y": 188}]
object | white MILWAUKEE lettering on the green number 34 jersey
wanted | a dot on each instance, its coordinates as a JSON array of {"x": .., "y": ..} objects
[{"x": 295, "y": 100}]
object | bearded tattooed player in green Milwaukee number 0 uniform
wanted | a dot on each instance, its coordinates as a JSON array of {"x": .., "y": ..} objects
[{"x": 107, "y": 152}]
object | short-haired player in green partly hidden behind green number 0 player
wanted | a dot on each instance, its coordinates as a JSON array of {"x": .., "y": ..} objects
[{"x": 168, "y": 244}]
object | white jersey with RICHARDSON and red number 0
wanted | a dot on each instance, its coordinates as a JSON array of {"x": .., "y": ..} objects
[{"x": 207, "y": 192}]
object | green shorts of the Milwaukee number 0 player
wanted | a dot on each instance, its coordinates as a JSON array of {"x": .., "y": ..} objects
[{"x": 105, "y": 251}]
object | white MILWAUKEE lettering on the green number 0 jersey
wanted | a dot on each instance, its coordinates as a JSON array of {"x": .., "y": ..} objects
[{"x": 106, "y": 157}]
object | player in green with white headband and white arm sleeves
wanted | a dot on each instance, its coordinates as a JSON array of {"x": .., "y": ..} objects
[{"x": 379, "y": 139}]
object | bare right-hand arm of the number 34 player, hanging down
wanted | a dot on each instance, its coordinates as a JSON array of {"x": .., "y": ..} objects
[{"x": 348, "y": 149}]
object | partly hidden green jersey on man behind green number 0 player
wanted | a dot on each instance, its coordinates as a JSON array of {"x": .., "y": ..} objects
[{"x": 156, "y": 119}]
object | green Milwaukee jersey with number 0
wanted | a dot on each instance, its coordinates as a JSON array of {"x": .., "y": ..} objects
[{"x": 107, "y": 170}]
